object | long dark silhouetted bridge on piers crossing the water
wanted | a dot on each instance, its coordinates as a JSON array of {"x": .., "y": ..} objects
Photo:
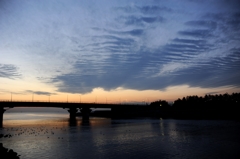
[{"x": 73, "y": 108}]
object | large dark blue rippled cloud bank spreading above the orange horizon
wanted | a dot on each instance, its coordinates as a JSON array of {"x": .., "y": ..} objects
[{"x": 193, "y": 56}]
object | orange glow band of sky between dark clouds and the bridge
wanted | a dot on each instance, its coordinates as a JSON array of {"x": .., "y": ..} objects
[{"x": 119, "y": 95}]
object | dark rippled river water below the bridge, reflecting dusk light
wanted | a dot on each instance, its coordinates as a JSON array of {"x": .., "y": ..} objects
[{"x": 51, "y": 135}]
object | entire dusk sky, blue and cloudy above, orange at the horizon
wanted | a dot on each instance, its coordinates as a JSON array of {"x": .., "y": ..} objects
[{"x": 112, "y": 51}]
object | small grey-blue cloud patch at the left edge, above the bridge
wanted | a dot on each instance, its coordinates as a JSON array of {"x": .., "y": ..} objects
[{"x": 9, "y": 71}]
